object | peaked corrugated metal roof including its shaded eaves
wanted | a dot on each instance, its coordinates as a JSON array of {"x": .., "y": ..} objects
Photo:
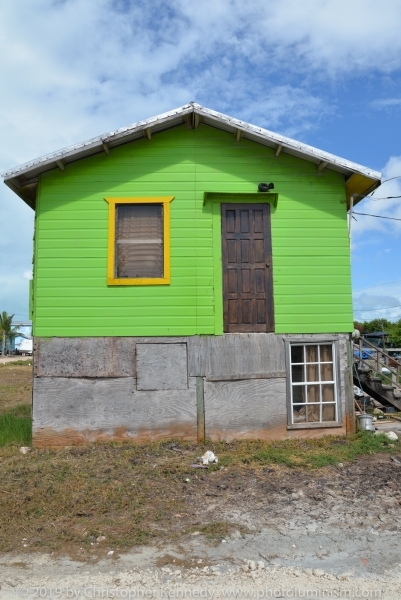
[{"x": 25, "y": 175}]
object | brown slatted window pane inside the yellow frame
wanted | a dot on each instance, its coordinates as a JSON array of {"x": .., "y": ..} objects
[{"x": 139, "y": 241}]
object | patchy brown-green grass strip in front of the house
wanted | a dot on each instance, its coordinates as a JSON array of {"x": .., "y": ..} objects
[{"x": 69, "y": 500}]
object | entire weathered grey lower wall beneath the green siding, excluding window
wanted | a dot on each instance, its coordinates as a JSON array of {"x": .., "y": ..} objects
[{"x": 86, "y": 389}]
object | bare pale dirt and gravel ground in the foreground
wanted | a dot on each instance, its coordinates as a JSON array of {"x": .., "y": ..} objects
[{"x": 260, "y": 529}]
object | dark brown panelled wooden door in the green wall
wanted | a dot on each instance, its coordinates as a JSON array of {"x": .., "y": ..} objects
[{"x": 247, "y": 268}]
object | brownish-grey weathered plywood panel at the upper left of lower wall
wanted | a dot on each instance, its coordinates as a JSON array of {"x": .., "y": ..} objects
[{"x": 84, "y": 357}]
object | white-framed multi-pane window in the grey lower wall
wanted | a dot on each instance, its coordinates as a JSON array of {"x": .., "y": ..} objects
[{"x": 313, "y": 384}]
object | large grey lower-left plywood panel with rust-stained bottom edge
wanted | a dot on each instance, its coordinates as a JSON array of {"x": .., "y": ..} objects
[{"x": 79, "y": 411}]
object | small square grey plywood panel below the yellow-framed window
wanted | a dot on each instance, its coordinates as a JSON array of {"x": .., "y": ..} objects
[{"x": 162, "y": 366}]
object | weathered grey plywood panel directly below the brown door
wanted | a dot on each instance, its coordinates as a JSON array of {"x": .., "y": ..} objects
[{"x": 237, "y": 356}]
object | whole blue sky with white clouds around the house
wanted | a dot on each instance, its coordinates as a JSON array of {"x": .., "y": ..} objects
[{"x": 326, "y": 73}]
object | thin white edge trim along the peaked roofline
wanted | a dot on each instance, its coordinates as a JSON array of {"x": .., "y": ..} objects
[{"x": 258, "y": 132}]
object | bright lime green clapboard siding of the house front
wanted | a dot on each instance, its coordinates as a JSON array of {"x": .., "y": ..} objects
[{"x": 311, "y": 264}]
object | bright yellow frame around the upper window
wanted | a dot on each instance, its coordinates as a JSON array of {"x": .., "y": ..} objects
[{"x": 113, "y": 202}]
